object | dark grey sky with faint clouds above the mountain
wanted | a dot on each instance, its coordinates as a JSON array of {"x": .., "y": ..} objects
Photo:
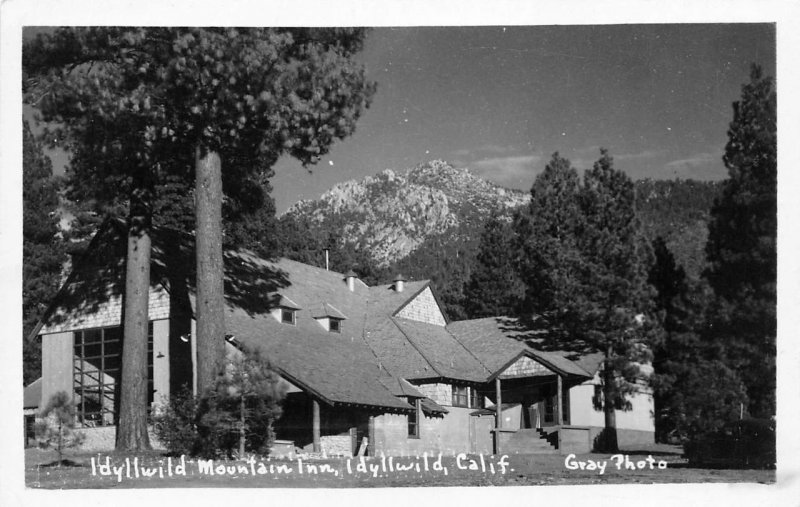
[{"x": 501, "y": 100}]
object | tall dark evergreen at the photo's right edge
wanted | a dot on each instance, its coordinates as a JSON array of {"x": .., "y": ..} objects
[{"x": 742, "y": 242}]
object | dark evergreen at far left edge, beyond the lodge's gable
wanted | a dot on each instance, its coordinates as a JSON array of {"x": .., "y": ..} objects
[{"x": 42, "y": 249}]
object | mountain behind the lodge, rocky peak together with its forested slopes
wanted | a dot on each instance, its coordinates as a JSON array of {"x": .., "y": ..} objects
[{"x": 426, "y": 223}]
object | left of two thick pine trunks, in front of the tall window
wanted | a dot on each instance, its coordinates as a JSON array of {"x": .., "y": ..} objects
[{"x": 132, "y": 426}]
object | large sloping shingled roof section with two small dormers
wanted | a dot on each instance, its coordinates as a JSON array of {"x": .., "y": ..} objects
[{"x": 336, "y": 367}]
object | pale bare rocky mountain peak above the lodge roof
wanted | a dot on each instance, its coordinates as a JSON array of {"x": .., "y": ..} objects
[{"x": 391, "y": 213}]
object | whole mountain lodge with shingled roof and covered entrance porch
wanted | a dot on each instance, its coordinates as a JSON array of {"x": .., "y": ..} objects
[{"x": 377, "y": 370}]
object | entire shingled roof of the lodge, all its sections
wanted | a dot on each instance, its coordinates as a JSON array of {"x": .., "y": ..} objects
[{"x": 362, "y": 364}]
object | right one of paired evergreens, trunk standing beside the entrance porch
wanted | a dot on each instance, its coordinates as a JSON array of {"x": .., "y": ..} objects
[{"x": 615, "y": 294}]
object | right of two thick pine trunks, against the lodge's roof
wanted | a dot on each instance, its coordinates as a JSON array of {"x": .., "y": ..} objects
[{"x": 210, "y": 298}]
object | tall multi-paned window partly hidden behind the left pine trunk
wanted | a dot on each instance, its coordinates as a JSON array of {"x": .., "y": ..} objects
[{"x": 96, "y": 374}]
